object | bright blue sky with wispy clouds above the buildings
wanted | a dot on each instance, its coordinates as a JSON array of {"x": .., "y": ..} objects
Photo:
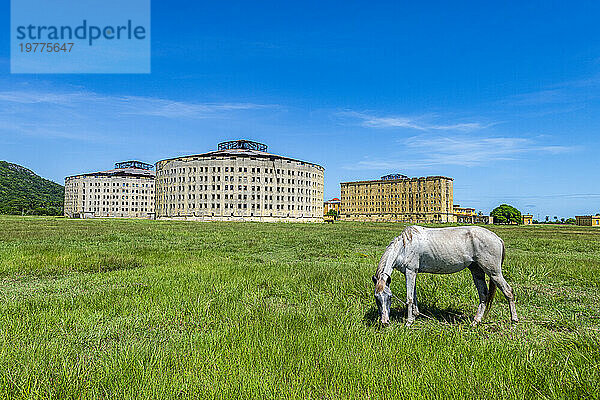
[{"x": 503, "y": 98}]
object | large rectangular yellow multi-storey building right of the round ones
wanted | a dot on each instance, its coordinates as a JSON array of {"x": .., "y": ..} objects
[{"x": 399, "y": 198}]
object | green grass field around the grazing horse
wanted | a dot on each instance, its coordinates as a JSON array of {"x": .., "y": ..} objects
[{"x": 149, "y": 309}]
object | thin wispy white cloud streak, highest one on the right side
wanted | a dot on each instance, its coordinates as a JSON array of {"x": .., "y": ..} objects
[{"x": 421, "y": 123}]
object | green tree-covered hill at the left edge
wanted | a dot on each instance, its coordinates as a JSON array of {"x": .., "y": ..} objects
[{"x": 22, "y": 191}]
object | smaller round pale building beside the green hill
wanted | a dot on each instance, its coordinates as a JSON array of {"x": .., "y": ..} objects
[{"x": 124, "y": 192}]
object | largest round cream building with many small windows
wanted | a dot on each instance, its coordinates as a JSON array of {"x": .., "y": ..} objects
[{"x": 239, "y": 182}]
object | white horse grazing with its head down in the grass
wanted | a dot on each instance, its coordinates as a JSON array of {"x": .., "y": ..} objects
[{"x": 443, "y": 251}]
